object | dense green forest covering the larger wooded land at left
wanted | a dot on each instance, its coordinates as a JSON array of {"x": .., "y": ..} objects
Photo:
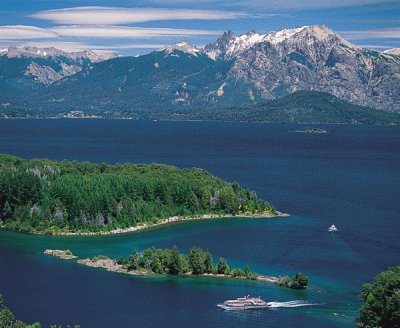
[{"x": 52, "y": 197}]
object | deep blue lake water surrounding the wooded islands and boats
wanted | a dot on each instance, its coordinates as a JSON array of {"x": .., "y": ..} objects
[{"x": 349, "y": 177}]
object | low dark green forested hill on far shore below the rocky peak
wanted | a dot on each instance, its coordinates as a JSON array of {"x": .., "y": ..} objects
[{"x": 300, "y": 107}]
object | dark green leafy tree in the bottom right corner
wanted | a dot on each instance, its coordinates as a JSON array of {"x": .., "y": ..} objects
[{"x": 381, "y": 306}]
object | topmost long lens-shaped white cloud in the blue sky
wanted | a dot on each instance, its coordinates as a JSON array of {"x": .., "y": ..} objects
[{"x": 116, "y": 15}]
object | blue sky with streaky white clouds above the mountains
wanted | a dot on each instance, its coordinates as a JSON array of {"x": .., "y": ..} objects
[{"x": 131, "y": 27}]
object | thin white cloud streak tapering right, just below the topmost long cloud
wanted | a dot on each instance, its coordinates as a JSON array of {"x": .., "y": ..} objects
[{"x": 126, "y": 32}]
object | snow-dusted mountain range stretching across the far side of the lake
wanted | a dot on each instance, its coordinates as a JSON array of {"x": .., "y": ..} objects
[{"x": 247, "y": 72}]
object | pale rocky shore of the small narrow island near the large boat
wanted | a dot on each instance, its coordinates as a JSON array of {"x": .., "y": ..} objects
[{"x": 111, "y": 265}]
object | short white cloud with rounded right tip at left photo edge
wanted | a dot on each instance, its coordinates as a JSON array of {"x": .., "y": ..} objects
[{"x": 20, "y": 32}]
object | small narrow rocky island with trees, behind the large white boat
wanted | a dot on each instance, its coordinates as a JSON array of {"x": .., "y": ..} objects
[{"x": 197, "y": 262}]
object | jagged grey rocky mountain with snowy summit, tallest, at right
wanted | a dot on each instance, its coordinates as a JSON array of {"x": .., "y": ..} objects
[{"x": 312, "y": 58}]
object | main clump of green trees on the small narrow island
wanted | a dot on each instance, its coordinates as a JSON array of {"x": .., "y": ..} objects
[{"x": 171, "y": 261}]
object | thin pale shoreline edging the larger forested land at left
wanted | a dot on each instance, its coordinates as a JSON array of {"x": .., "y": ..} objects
[{"x": 163, "y": 222}]
